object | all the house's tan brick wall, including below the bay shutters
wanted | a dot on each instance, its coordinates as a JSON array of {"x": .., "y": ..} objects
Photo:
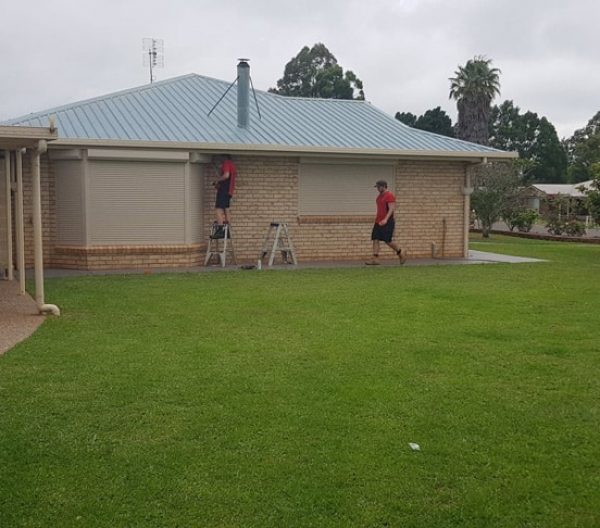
[{"x": 429, "y": 210}]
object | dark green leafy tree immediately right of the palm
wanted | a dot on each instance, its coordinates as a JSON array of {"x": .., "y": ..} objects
[{"x": 543, "y": 158}]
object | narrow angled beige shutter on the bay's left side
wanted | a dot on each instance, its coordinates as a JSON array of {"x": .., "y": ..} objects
[{"x": 70, "y": 221}]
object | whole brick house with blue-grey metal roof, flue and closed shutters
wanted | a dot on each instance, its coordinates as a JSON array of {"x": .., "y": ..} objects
[{"x": 127, "y": 182}]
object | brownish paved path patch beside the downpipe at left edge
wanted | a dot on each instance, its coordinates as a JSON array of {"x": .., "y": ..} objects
[{"x": 19, "y": 316}]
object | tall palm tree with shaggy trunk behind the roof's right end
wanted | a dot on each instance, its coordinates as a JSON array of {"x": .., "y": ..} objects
[{"x": 474, "y": 88}]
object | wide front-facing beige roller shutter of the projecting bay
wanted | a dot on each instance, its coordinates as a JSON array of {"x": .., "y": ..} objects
[{"x": 135, "y": 202}]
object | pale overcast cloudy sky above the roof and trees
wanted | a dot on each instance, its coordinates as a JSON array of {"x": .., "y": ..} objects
[{"x": 58, "y": 52}]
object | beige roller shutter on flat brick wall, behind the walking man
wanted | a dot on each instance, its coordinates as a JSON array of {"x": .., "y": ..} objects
[{"x": 340, "y": 189}]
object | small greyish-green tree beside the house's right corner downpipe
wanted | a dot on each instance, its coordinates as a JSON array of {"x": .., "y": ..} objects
[{"x": 495, "y": 190}]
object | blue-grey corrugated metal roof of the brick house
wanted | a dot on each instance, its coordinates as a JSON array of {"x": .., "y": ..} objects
[{"x": 176, "y": 110}]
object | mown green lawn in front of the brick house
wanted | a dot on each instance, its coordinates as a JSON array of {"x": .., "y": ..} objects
[{"x": 288, "y": 399}]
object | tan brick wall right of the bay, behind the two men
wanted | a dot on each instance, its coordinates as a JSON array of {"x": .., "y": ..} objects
[{"x": 429, "y": 194}]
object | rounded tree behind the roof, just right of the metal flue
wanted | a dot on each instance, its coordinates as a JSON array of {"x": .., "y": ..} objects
[{"x": 315, "y": 72}]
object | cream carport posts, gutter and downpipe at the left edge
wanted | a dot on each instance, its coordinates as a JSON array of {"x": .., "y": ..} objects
[{"x": 15, "y": 142}]
